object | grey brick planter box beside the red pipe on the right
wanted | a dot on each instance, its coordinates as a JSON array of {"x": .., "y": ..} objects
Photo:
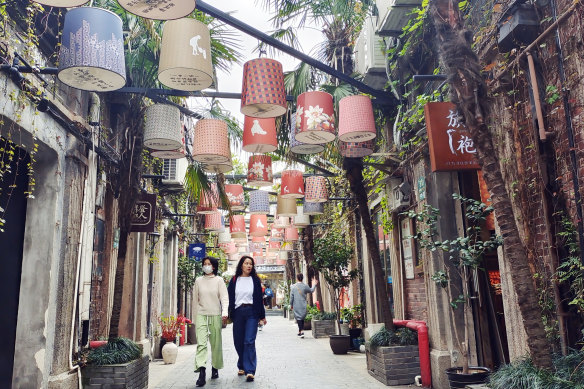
[{"x": 393, "y": 365}]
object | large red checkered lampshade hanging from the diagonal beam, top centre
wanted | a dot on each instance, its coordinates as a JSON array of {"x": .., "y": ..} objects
[{"x": 262, "y": 93}]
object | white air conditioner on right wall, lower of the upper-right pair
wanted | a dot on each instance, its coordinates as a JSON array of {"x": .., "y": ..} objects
[{"x": 370, "y": 56}]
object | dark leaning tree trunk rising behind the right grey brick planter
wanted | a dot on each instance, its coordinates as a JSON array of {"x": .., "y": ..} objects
[{"x": 354, "y": 172}]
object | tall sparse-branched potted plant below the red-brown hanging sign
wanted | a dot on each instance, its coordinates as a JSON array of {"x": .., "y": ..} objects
[{"x": 465, "y": 254}]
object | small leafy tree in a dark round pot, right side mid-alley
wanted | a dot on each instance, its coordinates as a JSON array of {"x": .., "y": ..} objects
[{"x": 331, "y": 258}]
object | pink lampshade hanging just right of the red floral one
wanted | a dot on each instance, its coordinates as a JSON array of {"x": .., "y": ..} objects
[{"x": 356, "y": 121}]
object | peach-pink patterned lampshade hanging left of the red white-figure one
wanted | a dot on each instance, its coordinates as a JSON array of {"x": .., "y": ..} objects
[{"x": 211, "y": 143}]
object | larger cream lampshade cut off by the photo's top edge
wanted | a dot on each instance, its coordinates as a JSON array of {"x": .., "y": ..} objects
[{"x": 159, "y": 9}]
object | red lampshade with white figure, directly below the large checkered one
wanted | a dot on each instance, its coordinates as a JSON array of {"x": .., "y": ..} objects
[{"x": 259, "y": 135}]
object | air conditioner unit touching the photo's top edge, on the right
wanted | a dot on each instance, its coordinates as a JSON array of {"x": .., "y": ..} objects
[{"x": 394, "y": 15}]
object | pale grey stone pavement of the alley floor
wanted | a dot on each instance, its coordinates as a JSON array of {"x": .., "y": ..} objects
[{"x": 284, "y": 362}]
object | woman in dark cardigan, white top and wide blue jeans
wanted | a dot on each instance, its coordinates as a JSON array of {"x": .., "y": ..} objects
[{"x": 247, "y": 310}]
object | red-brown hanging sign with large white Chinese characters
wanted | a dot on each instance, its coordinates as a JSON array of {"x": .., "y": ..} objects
[{"x": 451, "y": 148}]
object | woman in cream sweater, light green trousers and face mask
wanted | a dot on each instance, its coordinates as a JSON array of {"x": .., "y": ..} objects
[{"x": 211, "y": 305}]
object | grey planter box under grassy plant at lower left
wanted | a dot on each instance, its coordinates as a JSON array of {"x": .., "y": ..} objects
[{"x": 131, "y": 375}]
